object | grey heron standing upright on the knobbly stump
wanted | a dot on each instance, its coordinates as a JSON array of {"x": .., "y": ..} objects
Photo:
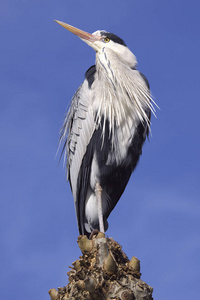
[{"x": 105, "y": 128}]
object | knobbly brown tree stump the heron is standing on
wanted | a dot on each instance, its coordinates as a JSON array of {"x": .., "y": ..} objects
[{"x": 104, "y": 272}]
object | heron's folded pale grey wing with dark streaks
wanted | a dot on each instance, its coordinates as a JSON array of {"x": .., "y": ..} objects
[{"x": 76, "y": 133}]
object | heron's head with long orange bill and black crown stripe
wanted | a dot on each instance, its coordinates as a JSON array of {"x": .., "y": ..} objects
[{"x": 102, "y": 39}]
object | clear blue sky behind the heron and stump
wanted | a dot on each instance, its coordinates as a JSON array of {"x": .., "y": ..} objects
[{"x": 158, "y": 217}]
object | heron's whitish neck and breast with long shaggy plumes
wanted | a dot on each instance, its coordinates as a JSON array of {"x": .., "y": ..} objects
[{"x": 124, "y": 93}]
